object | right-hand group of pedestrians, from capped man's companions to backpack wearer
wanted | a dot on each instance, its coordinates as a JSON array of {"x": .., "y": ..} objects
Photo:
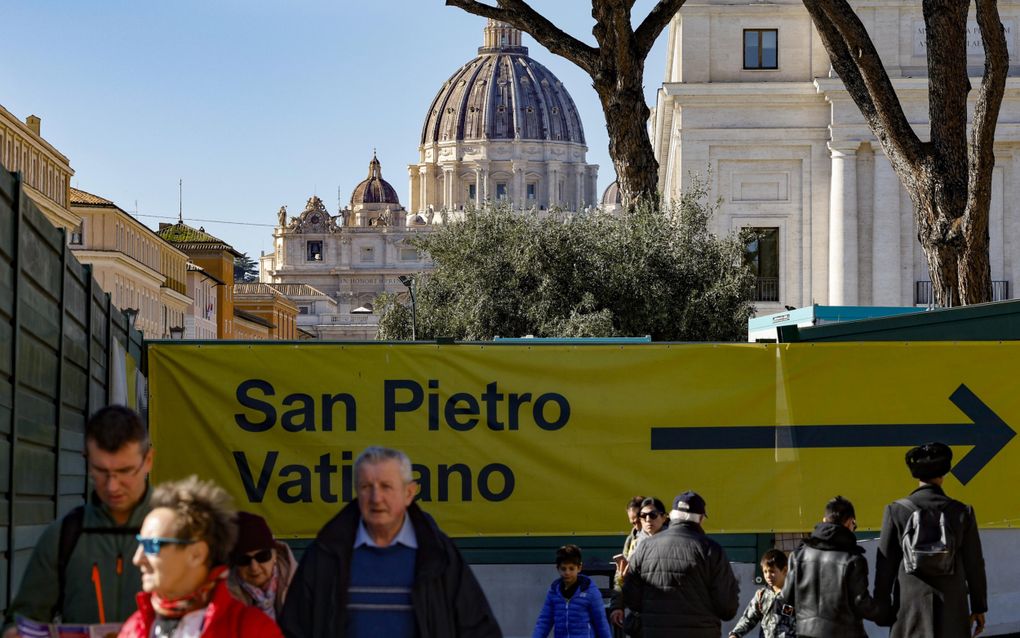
[{"x": 930, "y": 573}]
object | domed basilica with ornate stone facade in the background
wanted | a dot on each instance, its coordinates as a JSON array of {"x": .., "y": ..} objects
[{"x": 502, "y": 128}]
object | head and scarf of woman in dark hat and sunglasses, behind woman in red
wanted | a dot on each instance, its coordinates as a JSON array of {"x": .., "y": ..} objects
[{"x": 262, "y": 568}]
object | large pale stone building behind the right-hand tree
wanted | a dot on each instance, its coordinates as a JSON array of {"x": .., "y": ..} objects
[{"x": 749, "y": 95}]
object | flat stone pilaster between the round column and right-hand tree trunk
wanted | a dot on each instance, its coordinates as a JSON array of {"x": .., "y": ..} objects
[{"x": 886, "y": 256}]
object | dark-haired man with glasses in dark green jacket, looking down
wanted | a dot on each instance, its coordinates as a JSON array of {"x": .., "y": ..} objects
[{"x": 81, "y": 571}]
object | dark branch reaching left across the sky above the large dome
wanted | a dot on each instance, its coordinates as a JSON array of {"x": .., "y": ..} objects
[{"x": 522, "y": 16}]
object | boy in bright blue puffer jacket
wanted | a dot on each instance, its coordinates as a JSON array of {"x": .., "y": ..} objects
[{"x": 574, "y": 606}]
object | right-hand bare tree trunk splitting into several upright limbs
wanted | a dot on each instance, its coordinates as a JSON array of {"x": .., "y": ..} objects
[{"x": 949, "y": 180}]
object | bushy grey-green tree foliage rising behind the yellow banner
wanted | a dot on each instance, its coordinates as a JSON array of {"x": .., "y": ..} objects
[{"x": 654, "y": 271}]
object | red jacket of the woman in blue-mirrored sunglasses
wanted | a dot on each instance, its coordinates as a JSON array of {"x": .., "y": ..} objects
[{"x": 226, "y": 618}]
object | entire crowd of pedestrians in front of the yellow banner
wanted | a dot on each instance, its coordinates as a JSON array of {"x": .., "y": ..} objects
[{"x": 178, "y": 561}]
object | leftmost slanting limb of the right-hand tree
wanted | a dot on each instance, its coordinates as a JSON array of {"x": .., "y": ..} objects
[{"x": 856, "y": 61}]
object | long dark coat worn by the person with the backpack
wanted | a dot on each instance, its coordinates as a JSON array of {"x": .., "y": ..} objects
[{"x": 935, "y": 608}]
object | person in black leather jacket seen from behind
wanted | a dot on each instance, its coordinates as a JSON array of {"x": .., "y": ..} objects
[{"x": 828, "y": 583}]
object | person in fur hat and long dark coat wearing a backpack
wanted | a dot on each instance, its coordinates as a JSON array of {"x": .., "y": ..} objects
[{"x": 930, "y": 557}]
